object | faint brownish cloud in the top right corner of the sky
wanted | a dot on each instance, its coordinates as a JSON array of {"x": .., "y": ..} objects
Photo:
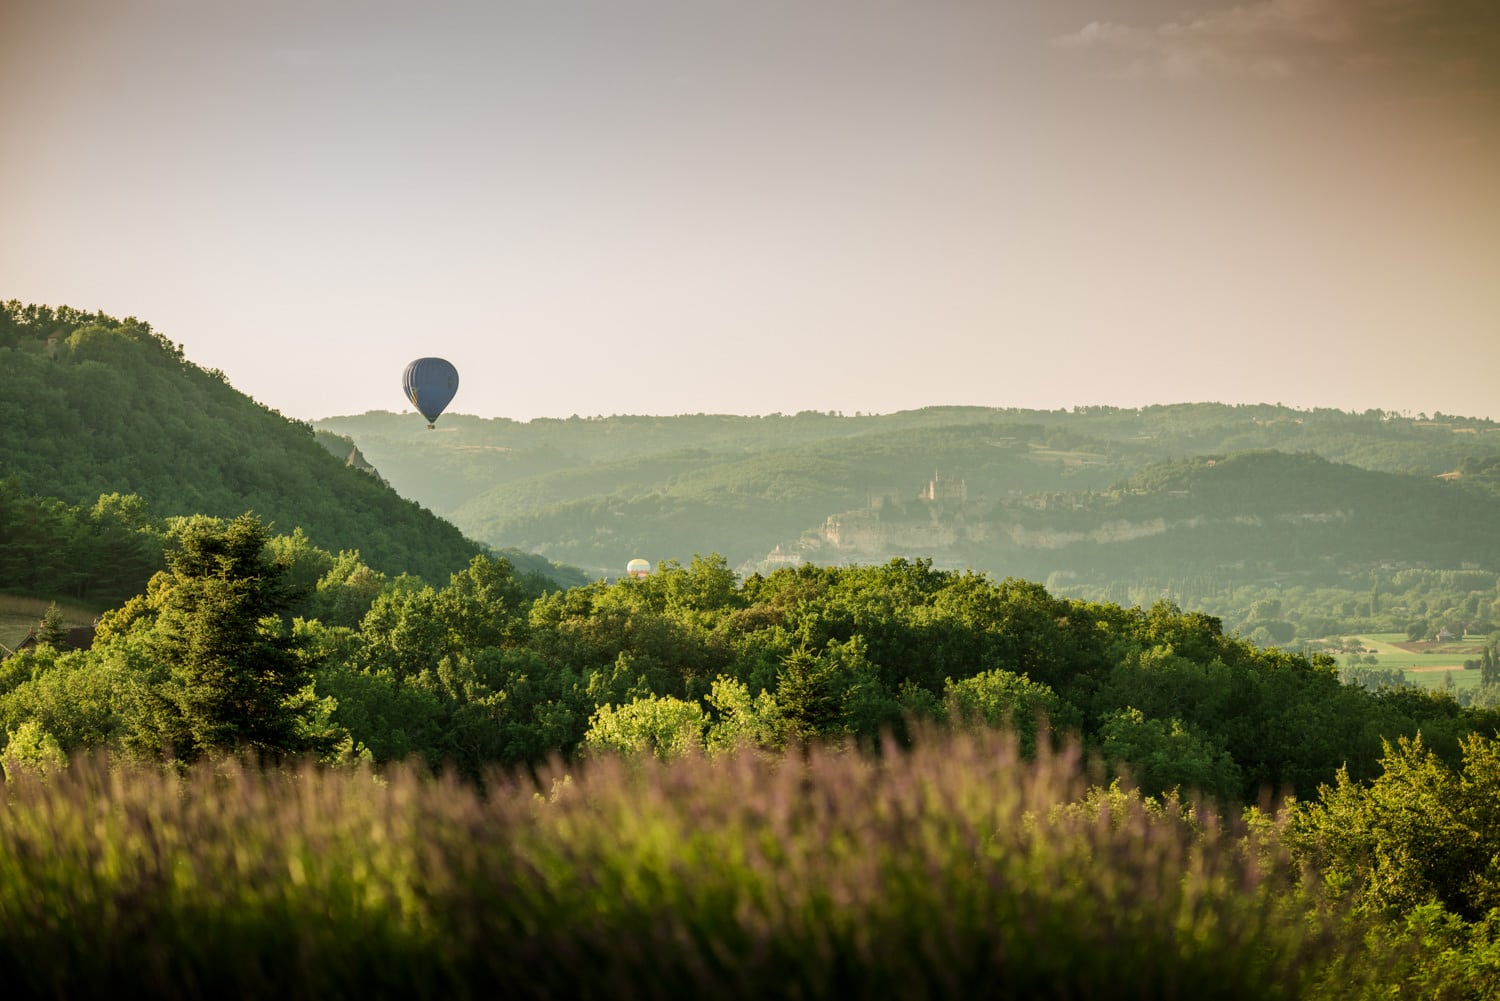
[{"x": 1453, "y": 43}]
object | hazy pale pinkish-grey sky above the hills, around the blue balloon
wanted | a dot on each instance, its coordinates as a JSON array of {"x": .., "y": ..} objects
[{"x": 754, "y": 206}]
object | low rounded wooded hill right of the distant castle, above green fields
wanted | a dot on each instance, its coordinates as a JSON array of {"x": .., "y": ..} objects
[{"x": 1255, "y": 516}]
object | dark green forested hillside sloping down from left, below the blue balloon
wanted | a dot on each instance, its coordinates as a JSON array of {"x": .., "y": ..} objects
[{"x": 98, "y": 406}]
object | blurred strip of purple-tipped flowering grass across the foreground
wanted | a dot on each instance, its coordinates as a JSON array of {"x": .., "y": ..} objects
[{"x": 949, "y": 870}]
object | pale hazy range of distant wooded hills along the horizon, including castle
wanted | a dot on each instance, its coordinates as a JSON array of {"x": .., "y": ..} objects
[{"x": 1091, "y": 494}]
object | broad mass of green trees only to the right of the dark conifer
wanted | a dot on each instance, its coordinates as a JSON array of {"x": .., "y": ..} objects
[{"x": 839, "y": 652}]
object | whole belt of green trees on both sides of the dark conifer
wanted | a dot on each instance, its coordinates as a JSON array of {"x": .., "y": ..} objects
[{"x": 479, "y": 673}]
